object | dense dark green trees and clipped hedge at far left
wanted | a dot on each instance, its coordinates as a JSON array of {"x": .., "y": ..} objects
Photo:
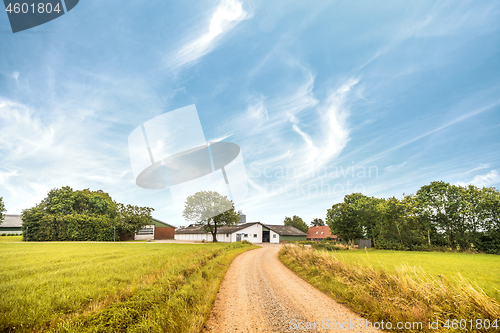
[{"x": 67, "y": 215}]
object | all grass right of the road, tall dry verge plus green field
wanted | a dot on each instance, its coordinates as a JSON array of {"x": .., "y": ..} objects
[{"x": 405, "y": 286}]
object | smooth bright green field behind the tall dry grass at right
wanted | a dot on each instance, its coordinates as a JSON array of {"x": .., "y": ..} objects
[{"x": 483, "y": 269}]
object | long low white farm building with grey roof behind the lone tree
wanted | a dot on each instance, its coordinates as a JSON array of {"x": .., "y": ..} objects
[{"x": 255, "y": 232}]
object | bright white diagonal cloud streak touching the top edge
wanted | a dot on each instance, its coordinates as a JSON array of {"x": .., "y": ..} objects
[{"x": 226, "y": 15}]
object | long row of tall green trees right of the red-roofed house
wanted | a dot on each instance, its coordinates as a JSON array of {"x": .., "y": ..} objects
[{"x": 439, "y": 215}]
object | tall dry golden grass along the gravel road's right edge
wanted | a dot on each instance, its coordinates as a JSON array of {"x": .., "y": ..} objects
[{"x": 400, "y": 294}]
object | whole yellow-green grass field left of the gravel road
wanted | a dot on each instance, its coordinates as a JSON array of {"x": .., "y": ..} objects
[{"x": 110, "y": 287}]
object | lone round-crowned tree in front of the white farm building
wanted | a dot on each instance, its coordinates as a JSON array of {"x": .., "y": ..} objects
[{"x": 210, "y": 209}]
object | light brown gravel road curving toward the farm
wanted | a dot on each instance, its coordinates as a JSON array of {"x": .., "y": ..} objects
[{"x": 259, "y": 294}]
